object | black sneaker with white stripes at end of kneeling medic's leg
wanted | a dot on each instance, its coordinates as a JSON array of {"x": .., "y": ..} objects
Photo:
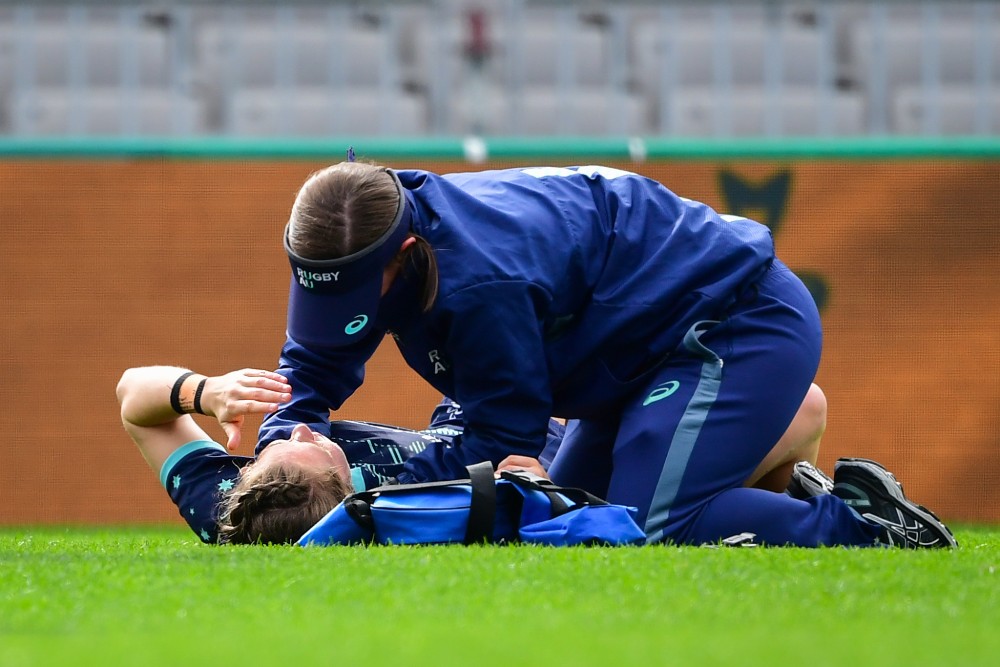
[{"x": 873, "y": 492}]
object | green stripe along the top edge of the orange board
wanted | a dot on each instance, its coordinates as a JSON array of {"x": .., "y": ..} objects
[{"x": 481, "y": 149}]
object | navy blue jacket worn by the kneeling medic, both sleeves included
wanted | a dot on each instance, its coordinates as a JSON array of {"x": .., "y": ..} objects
[{"x": 560, "y": 289}]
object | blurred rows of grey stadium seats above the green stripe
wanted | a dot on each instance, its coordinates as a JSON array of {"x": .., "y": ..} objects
[{"x": 522, "y": 67}]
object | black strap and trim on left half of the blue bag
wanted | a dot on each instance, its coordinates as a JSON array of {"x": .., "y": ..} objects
[{"x": 482, "y": 508}]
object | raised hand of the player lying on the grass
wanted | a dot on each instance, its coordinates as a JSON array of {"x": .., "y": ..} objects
[{"x": 231, "y": 397}]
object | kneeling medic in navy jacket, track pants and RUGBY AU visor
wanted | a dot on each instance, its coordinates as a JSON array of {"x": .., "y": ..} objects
[{"x": 671, "y": 336}]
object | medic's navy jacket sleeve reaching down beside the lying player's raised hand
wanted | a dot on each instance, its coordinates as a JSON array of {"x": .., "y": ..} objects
[{"x": 321, "y": 380}]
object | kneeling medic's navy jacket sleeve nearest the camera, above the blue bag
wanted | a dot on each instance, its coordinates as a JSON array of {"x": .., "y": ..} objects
[{"x": 501, "y": 379}]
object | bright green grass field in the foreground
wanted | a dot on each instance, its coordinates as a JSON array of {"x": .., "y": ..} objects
[{"x": 144, "y": 596}]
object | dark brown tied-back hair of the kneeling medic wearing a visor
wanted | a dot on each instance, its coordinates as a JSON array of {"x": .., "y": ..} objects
[{"x": 346, "y": 207}]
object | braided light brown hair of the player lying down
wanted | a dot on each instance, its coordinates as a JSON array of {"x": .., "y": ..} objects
[{"x": 277, "y": 504}]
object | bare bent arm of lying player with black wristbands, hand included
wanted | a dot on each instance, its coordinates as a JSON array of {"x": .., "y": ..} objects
[{"x": 156, "y": 403}]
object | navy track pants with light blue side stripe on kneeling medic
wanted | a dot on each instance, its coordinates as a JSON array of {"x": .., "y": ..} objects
[{"x": 682, "y": 447}]
